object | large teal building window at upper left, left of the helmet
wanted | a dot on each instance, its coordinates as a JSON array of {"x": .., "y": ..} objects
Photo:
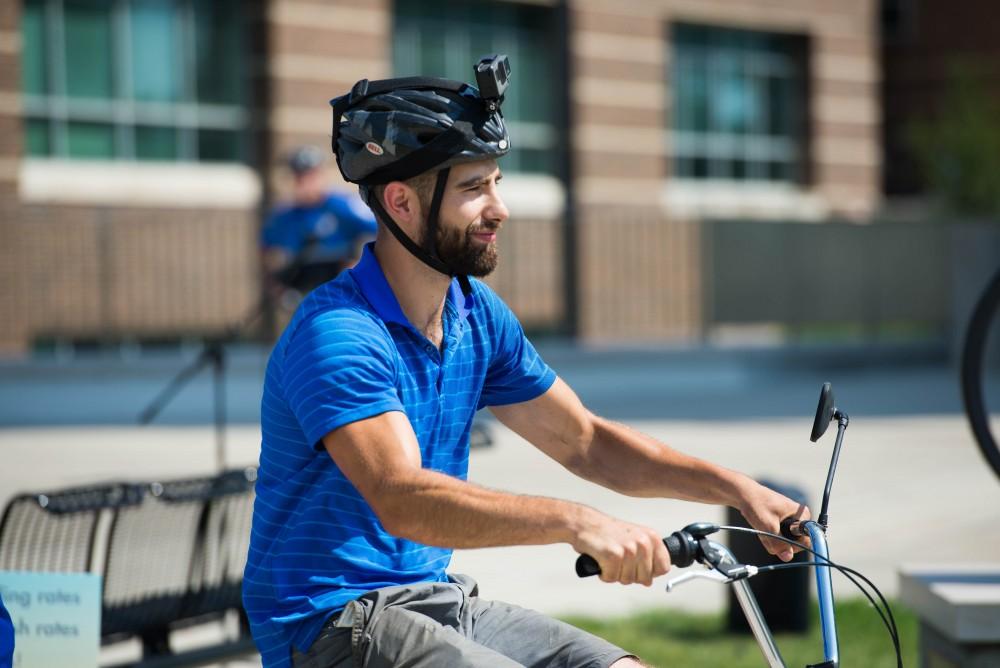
[{"x": 133, "y": 79}]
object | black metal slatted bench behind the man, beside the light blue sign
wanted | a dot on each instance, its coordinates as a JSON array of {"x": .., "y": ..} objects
[{"x": 171, "y": 553}]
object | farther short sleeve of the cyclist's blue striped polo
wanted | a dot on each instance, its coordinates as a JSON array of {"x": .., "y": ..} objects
[{"x": 516, "y": 371}]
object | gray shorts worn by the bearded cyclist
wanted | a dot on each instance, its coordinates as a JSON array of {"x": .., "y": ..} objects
[{"x": 439, "y": 624}]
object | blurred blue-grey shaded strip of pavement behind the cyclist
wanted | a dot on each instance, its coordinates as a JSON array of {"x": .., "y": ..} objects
[{"x": 699, "y": 383}]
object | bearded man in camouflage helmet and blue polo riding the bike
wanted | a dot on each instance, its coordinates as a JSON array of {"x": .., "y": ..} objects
[{"x": 368, "y": 401}]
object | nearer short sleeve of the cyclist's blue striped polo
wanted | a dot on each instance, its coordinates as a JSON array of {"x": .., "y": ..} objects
[{"x": 339, "y": 367}]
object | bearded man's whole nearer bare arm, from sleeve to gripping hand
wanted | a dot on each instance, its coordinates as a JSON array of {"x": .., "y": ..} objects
[{"x": 381, "y": 458}]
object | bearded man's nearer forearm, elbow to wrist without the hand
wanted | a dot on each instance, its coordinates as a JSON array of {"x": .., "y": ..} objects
[{"x": 436, "y": 509}]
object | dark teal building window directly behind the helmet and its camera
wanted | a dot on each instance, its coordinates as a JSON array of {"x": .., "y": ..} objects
[{"x": 447, "y": 43}]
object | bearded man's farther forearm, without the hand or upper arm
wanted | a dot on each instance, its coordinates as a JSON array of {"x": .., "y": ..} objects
[{"x": 632, "y": 463}]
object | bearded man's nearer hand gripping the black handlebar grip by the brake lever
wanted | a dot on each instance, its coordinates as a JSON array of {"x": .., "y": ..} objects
[{"x": 627, "y": 553}]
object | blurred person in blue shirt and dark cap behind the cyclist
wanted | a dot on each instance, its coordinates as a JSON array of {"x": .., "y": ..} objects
[{"x": 316, "y": 235}]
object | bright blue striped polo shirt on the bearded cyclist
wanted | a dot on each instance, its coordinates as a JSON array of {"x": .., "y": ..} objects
[{"x": 350, "y": 353}]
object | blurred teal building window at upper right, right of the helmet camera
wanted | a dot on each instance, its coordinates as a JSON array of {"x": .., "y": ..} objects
[{"x": 739, "y": 104}]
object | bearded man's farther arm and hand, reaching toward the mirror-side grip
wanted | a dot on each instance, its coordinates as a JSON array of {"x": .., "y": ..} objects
[{"x": 615, "y": 456}]
